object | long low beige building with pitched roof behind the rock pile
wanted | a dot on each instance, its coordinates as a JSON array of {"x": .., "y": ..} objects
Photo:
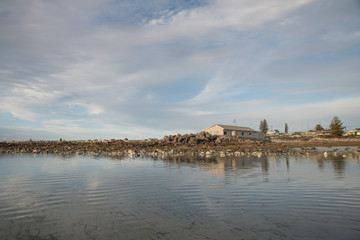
[{"x": 227, "y": 130}]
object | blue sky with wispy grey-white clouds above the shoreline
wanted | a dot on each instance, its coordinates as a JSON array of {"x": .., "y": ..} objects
[{"x": 102, "y": 69}]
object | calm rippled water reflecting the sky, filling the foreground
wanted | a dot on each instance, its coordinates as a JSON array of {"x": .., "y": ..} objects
[{"x": 52, "y": 197}]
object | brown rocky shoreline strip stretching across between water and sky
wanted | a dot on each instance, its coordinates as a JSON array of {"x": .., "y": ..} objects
[{"x": 202, "y": 145}]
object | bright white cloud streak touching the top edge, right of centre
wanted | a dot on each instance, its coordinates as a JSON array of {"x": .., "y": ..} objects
[{"x": 228, "y": 13}]
